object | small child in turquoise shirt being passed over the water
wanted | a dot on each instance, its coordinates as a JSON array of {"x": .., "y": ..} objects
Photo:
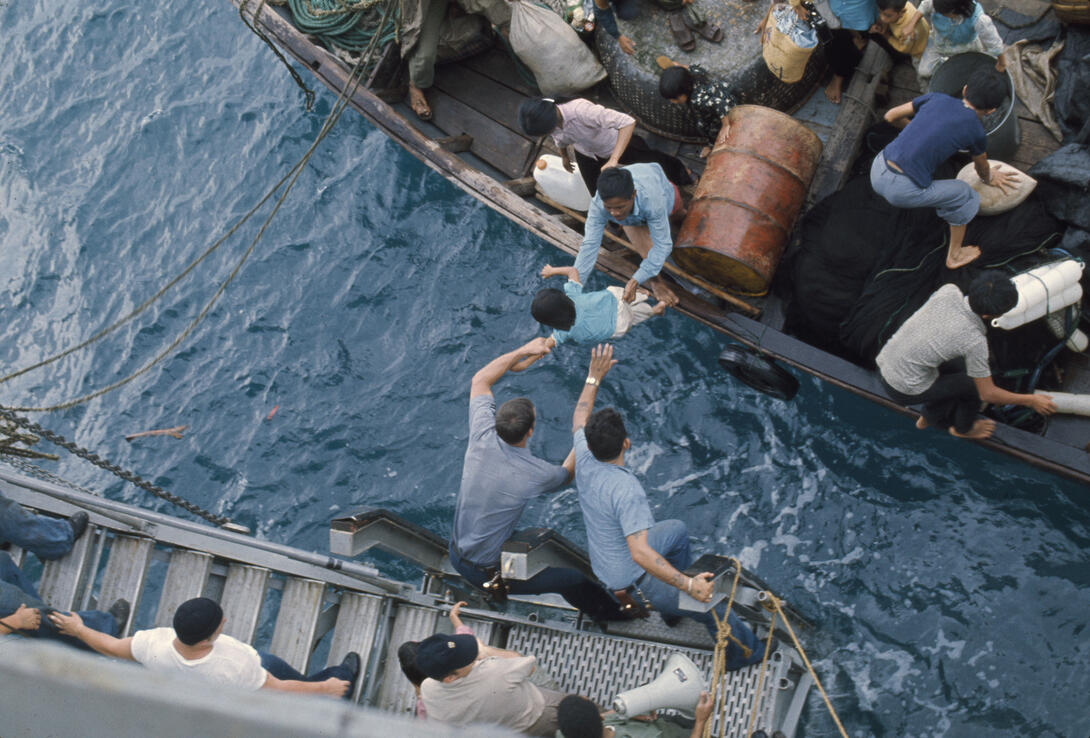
[{"x": 588, "y": 318}]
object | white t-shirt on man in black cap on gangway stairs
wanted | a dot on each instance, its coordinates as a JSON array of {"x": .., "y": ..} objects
[{"x": 231, "y": 661}]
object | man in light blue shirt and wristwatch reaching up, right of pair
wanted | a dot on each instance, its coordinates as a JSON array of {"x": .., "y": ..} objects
[{"x": 638, "y": 559}]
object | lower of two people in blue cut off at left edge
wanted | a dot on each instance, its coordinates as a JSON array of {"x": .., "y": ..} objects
[{"x": 22, "y": 610}]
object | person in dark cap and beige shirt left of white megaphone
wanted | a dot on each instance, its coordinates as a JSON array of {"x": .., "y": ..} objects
[{"x": 469, "y": 684}]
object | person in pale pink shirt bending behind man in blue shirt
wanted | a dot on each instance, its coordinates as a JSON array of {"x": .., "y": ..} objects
[{"x": 600, "y": 137}]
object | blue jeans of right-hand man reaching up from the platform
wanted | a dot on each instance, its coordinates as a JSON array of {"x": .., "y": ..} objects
[{"x": 671, "y": 539}]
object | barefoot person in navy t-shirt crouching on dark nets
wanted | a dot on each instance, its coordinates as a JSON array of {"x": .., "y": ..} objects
[{"x": 938, "y": 128}]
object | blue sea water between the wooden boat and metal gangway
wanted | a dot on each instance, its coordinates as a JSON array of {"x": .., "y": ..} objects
[{"x": 949, "y": 584}]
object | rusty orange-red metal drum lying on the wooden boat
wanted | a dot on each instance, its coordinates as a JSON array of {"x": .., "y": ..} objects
[{"x": 745, "y": 205}]
